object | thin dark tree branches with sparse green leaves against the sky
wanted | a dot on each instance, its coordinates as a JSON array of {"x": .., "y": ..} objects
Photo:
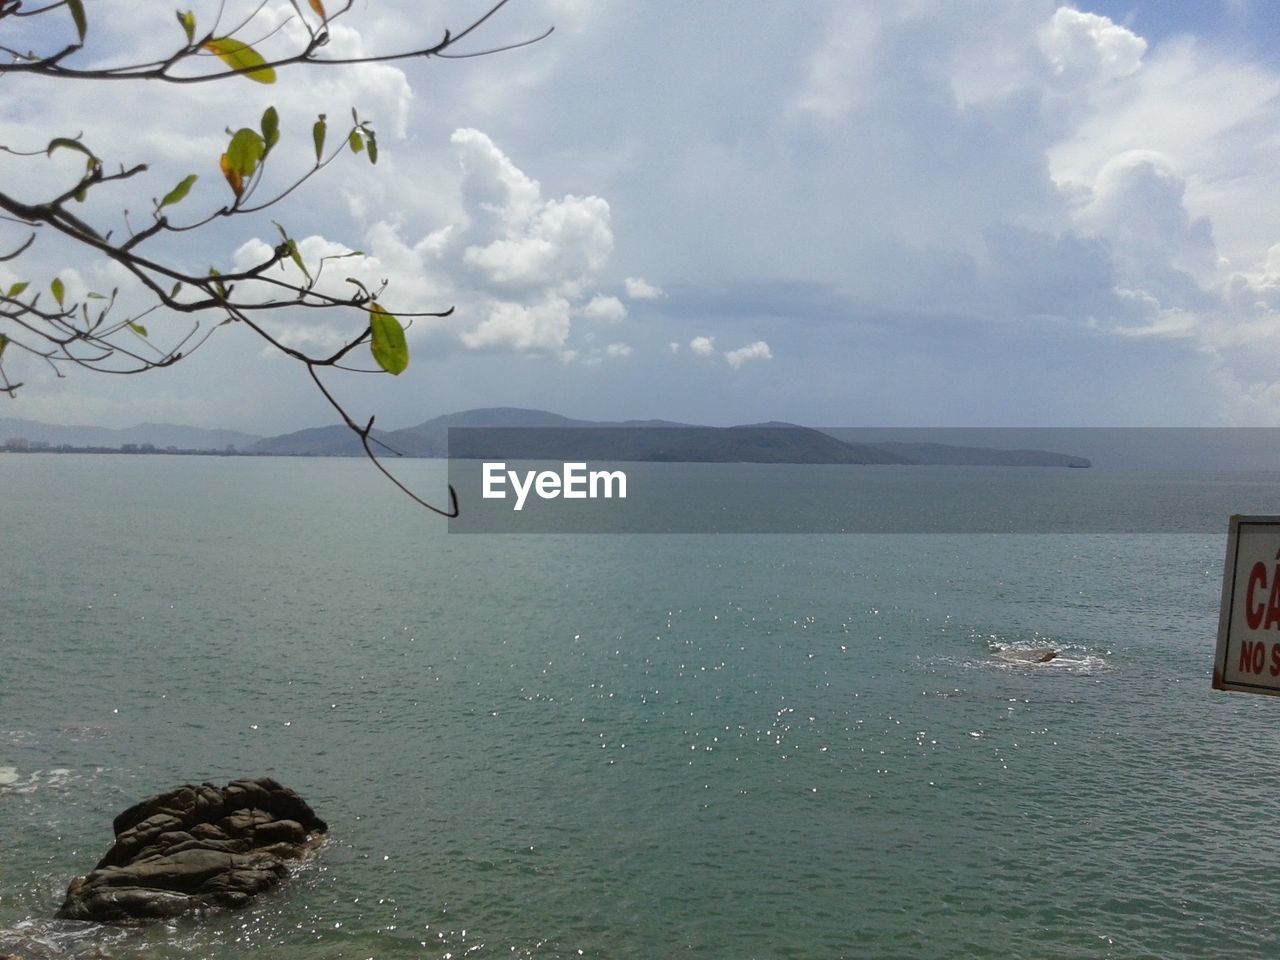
[{"x": 95, "y": 331}]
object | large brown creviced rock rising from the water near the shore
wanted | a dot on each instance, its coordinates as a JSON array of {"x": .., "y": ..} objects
[{"x": 195, "y": 848}]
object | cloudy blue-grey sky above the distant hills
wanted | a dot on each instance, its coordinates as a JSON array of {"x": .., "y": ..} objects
[{"x": 881, "y": 213}]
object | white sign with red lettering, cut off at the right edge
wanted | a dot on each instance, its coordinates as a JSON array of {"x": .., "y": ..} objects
[{"x": 1249, "y": 630}]
